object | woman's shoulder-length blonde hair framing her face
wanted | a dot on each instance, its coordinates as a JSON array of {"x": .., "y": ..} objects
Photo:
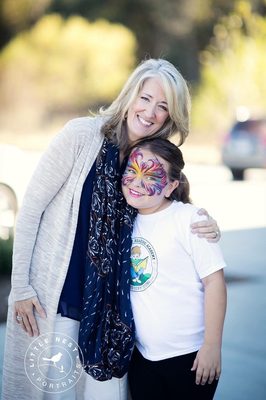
[{"x": 176, "y": 93}]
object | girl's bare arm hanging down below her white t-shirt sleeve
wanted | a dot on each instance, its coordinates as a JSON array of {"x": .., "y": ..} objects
[{"x": 207, "y": 363}]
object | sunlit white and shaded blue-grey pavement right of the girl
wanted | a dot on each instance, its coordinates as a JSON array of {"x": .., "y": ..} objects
[{"x": 241, "y": 212}]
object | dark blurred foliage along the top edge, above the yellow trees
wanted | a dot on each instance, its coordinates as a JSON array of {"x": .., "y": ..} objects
[{"x": 177, "y": 30}]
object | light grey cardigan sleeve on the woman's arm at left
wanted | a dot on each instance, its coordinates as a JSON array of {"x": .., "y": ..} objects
[{"x": 50, "y": 175}]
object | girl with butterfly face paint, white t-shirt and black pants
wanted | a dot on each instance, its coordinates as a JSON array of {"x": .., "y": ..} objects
[{"x": 178, "y": 292}]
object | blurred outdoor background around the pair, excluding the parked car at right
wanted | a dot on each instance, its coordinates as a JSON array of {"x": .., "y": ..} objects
[{"x": 61, "y": 59}]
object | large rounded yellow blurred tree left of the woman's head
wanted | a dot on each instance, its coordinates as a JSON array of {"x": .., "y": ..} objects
[{"x": 61, "y": 66}]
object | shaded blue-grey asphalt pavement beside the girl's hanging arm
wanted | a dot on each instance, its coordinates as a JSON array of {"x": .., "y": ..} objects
[{"x": 244, "y": 344}]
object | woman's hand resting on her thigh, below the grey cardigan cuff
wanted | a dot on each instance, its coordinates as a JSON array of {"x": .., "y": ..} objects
[{"x": 24, "y": 314}]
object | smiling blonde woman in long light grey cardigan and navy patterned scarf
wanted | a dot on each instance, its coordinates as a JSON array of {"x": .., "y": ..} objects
[{"x": 74, "y": 228}]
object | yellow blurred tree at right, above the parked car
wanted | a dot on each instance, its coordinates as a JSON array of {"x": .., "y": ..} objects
[{"x": 233, "y": 71}]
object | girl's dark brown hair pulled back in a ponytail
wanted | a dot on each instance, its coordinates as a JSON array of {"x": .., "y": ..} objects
[{"x": 174, "y": 157}]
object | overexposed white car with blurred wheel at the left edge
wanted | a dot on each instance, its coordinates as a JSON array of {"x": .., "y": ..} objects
[{"x": 16, "y": 168}]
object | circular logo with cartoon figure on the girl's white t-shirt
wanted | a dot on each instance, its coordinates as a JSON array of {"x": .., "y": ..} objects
[{"x": 144, "y": 265}]
